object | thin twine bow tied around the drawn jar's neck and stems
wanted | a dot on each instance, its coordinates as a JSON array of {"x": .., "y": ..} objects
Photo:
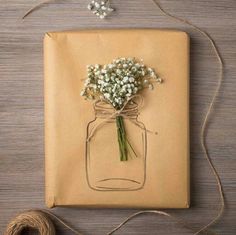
[{"x": 130, "y": 114}]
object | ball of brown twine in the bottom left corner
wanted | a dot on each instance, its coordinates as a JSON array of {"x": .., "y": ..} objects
[{"x": 36, "y": 220}]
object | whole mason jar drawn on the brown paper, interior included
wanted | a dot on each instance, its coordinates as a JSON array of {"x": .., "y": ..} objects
[{"x": 104, "y": 169}]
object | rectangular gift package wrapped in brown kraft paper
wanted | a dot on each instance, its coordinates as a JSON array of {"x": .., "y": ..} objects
[{"x": 83, "y": 164}]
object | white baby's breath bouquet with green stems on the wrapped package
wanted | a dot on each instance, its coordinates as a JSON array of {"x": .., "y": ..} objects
[{"x": 117, "y": 83}]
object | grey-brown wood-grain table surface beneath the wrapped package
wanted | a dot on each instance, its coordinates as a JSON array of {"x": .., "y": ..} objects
[{"x": 21, "y": 109}]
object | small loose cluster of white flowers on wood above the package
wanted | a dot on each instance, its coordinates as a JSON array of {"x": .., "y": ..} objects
[{"x": 100, "y": 9}]
